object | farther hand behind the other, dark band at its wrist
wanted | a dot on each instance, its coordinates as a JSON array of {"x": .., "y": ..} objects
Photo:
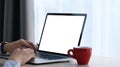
[{"x": 10, "y": 47}]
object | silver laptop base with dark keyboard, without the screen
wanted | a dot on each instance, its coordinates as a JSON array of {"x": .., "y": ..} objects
[{"x": 46, "y": 58}]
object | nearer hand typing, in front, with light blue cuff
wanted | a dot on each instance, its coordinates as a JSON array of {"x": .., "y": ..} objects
[{"x": 22, "y": 55}]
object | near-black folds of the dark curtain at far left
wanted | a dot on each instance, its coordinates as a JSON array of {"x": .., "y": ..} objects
[{"x": 11, "y": 30}]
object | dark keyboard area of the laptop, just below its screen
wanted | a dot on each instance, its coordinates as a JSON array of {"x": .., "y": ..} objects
[{"x": 49, "y": 56}]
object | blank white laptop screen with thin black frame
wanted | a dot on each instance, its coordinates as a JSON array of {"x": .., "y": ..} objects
[{"x": 61, "y": 32}]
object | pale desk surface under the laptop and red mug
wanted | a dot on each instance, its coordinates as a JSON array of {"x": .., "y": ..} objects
[{"x": 95, "y": 61}]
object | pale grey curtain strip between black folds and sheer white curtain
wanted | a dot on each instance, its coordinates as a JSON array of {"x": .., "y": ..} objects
[{"x": 27, "y": 20}]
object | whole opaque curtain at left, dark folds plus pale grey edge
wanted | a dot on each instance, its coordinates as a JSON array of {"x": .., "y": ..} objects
[{"x": 18, "y": 20}]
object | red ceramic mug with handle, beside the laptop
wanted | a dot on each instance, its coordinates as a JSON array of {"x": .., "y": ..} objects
[{"x": 81, "y": 54}]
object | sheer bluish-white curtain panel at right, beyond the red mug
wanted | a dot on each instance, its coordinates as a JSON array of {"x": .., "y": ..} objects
[{"x": 106, "y": 34}]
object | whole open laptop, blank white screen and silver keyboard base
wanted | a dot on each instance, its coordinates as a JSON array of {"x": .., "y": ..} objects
[{"x": 61, "y": 32}]
